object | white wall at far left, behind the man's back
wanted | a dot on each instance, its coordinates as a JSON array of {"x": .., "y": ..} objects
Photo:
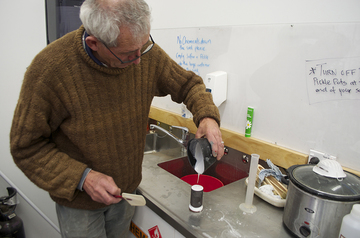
[{"x": 23, "y": 36}]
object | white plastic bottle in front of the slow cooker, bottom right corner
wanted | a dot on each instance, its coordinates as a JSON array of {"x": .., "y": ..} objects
[{"x": 350, "y": 226}]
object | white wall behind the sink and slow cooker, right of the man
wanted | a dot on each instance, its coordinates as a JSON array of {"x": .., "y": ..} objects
[{"x": 265, "y": 60}]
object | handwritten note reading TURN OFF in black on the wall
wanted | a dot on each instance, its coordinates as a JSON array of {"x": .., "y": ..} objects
[{"x": 333, "y": 79}]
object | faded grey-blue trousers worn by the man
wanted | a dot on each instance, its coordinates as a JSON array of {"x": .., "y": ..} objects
[{"x": 109, "y": 222}]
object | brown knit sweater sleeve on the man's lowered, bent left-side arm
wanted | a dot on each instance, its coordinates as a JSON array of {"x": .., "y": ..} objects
[{"x": 37, "y": 117}]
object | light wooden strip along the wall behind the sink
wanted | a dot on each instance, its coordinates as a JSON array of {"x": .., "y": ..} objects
[{"x": 280, "y": 156}]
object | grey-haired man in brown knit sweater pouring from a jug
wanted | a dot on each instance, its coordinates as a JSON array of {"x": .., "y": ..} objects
[{"x": 79, "y": 126}]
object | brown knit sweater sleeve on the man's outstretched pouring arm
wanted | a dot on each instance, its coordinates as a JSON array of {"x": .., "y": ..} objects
[{"x": 185, "y": 86}]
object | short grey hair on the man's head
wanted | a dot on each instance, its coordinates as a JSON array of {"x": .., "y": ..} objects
[{"x": 103, "y": 19}]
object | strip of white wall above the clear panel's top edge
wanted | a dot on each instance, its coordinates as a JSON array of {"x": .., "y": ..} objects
[{"x": 200, "y": 13}]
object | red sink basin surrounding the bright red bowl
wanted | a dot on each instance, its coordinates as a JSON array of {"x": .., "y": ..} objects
[{"x": 229, "y": 169}]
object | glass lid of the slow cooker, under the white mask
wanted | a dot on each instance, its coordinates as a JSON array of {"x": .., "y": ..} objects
[{"x": 346, "y": 188}]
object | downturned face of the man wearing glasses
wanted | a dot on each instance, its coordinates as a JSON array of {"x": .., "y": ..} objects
[{"x": 126, "y": 50}]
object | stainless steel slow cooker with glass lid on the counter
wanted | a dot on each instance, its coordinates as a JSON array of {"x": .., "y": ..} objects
[{"x": 315, "y": 204}]
